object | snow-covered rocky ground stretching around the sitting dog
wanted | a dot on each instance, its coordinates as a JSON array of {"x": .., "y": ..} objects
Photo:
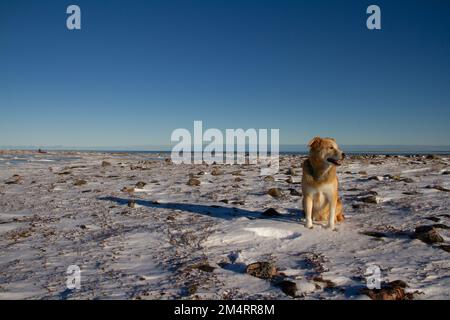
[{"x": 181, "y": 241}]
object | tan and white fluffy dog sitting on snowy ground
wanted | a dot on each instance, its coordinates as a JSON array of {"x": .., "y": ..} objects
[{"x": 320, "y": 184}]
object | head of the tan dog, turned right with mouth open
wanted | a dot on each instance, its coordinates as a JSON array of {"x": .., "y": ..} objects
[{"x": 326, "y": 150}]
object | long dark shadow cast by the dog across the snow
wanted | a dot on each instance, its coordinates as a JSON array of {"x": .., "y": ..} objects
[{"x": 216, "y": 211}]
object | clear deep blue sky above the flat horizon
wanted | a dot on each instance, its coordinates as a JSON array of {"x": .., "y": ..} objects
[{"x": 137, "y": 70}]
